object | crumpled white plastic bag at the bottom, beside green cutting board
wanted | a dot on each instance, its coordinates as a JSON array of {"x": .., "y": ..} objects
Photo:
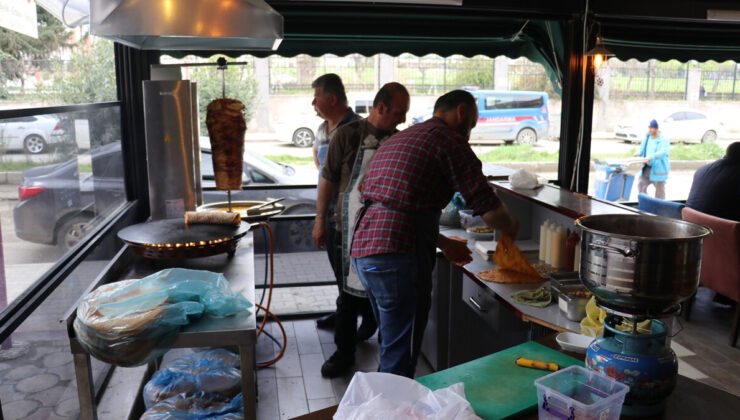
[{"x": 384, "y": 396}]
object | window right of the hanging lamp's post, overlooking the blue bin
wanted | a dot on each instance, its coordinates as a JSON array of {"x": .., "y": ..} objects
[{"x": 695, "y": 105}]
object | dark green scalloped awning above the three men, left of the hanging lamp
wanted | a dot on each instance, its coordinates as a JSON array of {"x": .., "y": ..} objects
[{"x": 396, "y": 34}]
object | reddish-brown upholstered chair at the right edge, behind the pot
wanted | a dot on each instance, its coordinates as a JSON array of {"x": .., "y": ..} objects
[{"x": 720, "y": 266}]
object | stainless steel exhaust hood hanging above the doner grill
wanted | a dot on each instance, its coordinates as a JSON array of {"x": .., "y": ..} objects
[{"x": 188, "y": 24}]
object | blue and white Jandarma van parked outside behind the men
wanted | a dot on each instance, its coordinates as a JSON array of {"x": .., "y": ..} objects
[{"x": 508, "y": 116}]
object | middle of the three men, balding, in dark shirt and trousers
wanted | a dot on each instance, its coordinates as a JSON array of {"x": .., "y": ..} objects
[{"x": 349, "y": 148}]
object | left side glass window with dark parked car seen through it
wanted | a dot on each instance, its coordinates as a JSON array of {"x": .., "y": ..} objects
[{"x": 61, "y": 175}]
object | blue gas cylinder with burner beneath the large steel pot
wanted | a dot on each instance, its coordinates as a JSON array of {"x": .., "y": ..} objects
[{"x": 644, "y": 362}]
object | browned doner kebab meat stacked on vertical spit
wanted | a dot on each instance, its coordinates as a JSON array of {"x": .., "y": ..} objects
[{"x": 226, "y": 128}]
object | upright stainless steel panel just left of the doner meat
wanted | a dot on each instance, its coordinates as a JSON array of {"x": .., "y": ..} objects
[{"x": 169, "y": 148}]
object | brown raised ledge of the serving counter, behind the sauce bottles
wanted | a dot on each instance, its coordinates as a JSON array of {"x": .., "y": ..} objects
[{"x": 565, "y": 202}]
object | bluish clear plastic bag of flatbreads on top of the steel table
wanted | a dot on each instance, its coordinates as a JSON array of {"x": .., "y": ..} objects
[{"x": 132, "y": 322}]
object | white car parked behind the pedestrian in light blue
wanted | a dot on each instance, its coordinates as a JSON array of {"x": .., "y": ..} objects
[{"x": 682, "y": 125}]
